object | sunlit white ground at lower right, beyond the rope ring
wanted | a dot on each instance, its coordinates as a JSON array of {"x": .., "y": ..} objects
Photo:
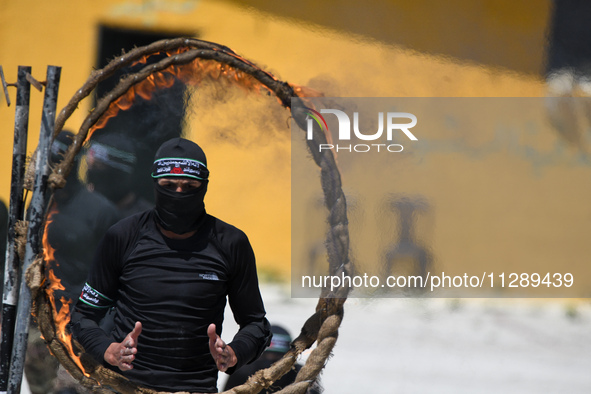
[{"x": 455, "y": 346}]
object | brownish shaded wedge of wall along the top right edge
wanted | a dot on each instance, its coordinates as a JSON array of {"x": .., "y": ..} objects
[{"x": 498, "y": 33}]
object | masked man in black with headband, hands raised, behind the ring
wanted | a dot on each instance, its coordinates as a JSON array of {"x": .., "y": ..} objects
[{"x": 167, "y": 273}]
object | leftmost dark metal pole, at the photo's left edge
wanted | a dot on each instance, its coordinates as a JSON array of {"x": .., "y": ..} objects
[{"x": 16, "y": 213}]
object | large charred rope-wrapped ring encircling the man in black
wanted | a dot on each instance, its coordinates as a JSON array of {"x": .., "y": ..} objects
[{"x": 321, "y": 327}]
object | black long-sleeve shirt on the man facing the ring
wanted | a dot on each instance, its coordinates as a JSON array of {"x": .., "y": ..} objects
[{"x": 175, "y": 288}]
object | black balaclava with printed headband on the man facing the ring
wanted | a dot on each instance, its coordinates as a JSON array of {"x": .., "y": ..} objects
[{"x": 180, "y": 212}]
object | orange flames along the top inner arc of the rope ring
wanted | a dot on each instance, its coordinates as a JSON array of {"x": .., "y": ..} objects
[{"x": 191, "y": 74}]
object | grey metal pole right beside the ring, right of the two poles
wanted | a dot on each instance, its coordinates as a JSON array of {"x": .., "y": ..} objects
[{"x": 36, "y": 215}]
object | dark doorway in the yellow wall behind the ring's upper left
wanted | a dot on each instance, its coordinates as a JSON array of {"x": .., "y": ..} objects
[{"x": 148, "y": 123}]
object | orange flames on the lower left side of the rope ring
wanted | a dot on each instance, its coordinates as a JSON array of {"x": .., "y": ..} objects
[{"x": 62, "y": 317}]
